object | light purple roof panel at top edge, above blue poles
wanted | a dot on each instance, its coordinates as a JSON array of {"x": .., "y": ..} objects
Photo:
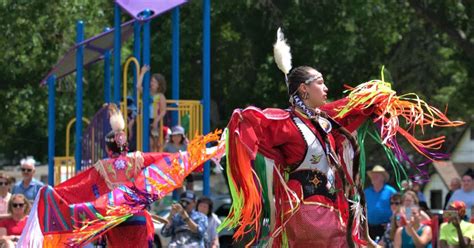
[{"x": 136, "y": 8}]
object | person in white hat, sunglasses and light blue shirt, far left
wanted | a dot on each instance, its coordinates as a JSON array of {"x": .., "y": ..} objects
[{"x": 29, "y": 186}]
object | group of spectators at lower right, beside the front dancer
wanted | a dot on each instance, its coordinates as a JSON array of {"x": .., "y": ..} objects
[{"x": 403, "y": 219}]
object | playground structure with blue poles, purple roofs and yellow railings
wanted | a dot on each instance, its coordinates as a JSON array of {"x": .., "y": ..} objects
[{"x": 196, "y": 113}]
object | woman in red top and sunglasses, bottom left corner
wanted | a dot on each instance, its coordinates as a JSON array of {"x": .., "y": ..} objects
[{"x": 11, "y": 228}]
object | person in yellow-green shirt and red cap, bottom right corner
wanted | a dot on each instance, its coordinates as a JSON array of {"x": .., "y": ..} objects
[{"x": 455, "y": 232}]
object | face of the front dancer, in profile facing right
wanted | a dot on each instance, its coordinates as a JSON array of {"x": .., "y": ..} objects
[{"x": 316, "y": 90}]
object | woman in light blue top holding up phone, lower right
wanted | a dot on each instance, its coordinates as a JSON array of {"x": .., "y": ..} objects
[{"x": 413, "y": 233}]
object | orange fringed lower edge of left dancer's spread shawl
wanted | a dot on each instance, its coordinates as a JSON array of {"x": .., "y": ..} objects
[{"x": 163, "y": 180}]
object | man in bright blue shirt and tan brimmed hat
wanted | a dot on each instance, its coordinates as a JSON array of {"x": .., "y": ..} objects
[{"x": 378, "y": 201}]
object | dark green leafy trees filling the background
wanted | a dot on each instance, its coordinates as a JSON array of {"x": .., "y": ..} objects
[{"x": 426, "y": 46}]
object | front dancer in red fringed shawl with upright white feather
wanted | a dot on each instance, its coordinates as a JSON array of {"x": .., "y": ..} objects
[{"x": 294, "y": 173}]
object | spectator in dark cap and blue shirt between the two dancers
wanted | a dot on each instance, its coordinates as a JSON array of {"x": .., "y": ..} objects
[{"x": 186, "y": 226}]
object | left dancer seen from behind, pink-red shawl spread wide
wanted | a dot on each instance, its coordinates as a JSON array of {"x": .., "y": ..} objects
[{"x": 111, "y": 198}]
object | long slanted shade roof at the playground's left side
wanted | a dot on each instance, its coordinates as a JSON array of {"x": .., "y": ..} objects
[{"x": 94, "y": 49}]
